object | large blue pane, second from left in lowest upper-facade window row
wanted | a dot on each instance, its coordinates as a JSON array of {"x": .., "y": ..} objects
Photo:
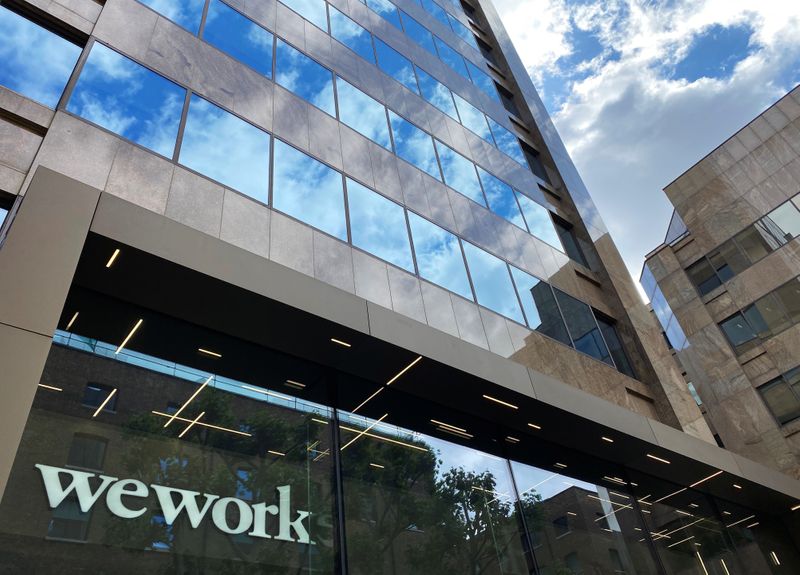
[{"x": 128, "y": 99}]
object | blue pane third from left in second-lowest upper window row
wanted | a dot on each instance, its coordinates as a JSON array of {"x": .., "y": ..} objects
[{"x": 300, "y": 74}]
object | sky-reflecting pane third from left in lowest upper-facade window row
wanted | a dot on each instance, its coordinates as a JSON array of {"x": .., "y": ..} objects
[{"x": 220, "y": 145}]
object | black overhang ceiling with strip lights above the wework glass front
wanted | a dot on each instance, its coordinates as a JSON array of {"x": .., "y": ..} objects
[{"x": 264, "y": 342}]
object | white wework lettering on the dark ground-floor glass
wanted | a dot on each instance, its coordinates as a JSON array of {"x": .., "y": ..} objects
[{"x": 252, "y": 518}]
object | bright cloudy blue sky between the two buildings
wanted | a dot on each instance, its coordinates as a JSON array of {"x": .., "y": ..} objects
[{"x": 641, "y": 90}]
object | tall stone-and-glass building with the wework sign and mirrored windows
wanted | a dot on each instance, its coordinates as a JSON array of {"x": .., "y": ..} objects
[{"x": 360, "y": 207}]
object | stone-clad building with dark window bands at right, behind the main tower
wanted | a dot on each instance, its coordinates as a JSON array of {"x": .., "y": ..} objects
[{"x": 724, "y": 285}]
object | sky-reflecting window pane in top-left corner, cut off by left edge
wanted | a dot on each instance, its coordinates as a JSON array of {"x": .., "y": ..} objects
[{"x": 36, "y": 63}]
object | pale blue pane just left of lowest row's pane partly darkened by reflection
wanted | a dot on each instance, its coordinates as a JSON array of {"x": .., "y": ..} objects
[{"x": 492, "y": 283}]
